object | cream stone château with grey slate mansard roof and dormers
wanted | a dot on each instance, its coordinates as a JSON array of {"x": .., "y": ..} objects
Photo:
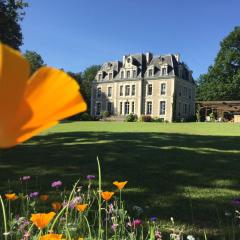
[{"x": 142, "y": 71}]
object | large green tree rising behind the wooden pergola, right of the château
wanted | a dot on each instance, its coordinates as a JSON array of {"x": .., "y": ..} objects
[{"x": 222, "y": 82}]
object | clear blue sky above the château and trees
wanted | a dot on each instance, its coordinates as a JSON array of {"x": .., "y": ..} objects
[{"x": 75, "y": 34}]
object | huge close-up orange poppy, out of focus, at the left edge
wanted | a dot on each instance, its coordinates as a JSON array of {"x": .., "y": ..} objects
[{"x": 31, "y": 105}]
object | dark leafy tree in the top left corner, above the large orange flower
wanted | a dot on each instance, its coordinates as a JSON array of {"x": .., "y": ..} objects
[{"x": 11, "y": 13}]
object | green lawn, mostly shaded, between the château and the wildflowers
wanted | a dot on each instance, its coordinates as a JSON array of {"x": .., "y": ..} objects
[{"x": 189, "y": 171}]
